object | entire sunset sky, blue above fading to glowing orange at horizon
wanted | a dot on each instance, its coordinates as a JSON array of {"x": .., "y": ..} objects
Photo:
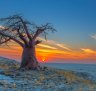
[{"x": 74, "y": 20}]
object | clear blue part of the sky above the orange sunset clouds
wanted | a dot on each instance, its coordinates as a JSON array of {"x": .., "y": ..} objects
[{"x": 75, "y": 20}]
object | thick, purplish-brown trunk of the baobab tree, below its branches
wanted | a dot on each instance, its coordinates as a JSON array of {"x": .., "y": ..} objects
[{"x": 29, "y": 60}]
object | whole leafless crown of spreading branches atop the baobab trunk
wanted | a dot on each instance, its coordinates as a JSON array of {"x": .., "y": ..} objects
[{"x": 21, "y": 31}]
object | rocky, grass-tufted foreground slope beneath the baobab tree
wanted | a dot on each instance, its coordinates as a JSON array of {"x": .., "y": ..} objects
[{"x": 50, "y": 79}]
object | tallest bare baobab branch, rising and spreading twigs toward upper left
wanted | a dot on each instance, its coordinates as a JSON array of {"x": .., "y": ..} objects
[{"x": 14, "y": 21}]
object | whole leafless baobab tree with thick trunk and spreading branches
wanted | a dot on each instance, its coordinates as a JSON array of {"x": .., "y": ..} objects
[{"x": 17, "y": 29}]
